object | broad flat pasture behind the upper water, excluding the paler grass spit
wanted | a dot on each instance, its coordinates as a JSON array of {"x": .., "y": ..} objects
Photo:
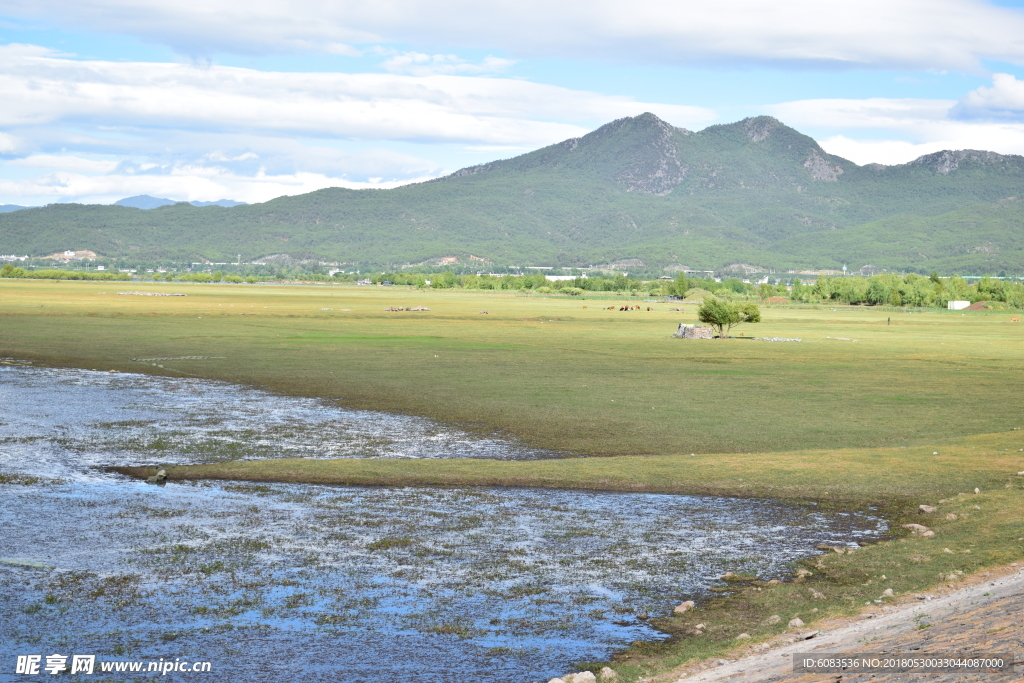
[{"x": 590, "y": 381}]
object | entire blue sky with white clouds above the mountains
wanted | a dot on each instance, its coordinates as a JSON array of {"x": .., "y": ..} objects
[{"x": 102, "y": 100}]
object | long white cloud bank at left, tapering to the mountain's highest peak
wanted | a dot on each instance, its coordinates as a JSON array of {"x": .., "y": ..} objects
[{"x": 44, "y": 90}]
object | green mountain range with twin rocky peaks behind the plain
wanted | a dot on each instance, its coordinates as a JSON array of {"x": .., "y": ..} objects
[{"x": 754, "y": 192}]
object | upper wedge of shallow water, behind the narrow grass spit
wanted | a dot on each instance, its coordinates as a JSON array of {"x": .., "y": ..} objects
[{"x": 82, "y": 418}]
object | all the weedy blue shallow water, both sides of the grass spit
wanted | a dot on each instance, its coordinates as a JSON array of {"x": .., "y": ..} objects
[{"x": 308, "y": 583}]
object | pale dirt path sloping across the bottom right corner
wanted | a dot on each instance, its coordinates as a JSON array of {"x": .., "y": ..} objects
[{"x": 986, "y": 616}]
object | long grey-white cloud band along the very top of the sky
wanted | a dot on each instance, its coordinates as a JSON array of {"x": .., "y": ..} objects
[{"x": 915, "y": 34}]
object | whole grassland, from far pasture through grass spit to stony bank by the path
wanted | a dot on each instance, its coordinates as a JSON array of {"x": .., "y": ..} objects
[{"x": 861, "y": 413}]
